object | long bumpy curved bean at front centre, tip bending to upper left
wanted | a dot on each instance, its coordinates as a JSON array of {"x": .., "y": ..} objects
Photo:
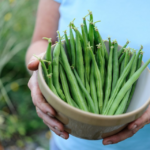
[{"x": 98, "y": 82}]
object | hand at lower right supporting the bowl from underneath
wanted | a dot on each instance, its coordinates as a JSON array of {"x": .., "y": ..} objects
[{"x": 130, "y": 130}]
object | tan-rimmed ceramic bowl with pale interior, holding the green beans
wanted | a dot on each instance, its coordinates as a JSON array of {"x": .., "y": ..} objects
[{"x": 91, "y": 126}]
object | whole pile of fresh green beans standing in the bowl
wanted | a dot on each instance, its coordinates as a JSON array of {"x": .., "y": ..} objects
[{"x": 85, "y": 75}]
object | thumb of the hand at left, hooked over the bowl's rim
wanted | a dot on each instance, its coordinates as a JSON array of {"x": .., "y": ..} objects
[{"x": 34, "y": 62}]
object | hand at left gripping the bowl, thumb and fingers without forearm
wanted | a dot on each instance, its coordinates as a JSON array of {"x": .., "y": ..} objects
[{"x": 44, "y": 110}]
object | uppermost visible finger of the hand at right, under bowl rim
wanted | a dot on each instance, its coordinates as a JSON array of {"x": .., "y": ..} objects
[{"x": 143, "y": 120}]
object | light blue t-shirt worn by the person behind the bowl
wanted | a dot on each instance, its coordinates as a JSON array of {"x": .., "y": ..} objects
[{"x": 121, "y": 20}]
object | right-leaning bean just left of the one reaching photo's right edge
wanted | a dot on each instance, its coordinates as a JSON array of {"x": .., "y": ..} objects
[{"x": 118, "y": 84}]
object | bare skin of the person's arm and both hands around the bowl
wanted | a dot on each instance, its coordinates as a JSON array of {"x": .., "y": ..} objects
[{"x": 38, "y": 46}]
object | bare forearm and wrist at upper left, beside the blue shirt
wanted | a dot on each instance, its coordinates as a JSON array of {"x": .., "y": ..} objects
[{"x": 46, "y": 26}]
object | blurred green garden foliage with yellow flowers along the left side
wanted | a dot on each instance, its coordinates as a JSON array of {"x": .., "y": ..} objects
[{"x": 20, "y": 127}]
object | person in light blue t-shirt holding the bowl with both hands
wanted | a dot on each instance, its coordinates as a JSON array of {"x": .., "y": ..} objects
[{"x": 121, "y": 20}]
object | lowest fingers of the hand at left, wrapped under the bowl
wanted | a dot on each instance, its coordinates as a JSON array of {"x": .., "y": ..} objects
[{"x": 55, "y": 125}]
